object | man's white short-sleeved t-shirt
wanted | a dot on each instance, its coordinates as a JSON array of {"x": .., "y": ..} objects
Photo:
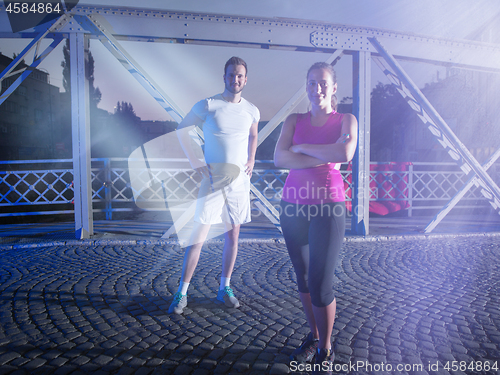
[{"x": 226, "y": 129}]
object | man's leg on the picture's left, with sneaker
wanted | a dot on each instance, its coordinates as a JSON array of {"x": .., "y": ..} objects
[{"x": 191, "y": 257}]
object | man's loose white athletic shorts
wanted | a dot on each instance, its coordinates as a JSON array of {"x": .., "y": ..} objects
[{"x": 230, "y": 204}]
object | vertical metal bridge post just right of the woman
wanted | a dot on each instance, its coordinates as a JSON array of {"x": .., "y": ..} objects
[{"x": 361, "y": 161}]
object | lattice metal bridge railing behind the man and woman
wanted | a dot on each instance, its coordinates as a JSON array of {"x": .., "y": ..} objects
[{"x": 45, "y": 187}]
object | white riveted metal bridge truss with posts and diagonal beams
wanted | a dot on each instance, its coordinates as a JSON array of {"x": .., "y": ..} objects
[{"x": 112, "y": 25}]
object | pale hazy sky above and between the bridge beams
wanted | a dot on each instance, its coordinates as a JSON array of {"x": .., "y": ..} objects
[{"x": 189, "y": 73}]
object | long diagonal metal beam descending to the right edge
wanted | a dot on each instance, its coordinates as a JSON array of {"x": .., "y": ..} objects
[{"x": 435, "y": 122}]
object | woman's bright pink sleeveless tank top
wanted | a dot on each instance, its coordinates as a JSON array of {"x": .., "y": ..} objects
[{"x": 321, "y": 184}]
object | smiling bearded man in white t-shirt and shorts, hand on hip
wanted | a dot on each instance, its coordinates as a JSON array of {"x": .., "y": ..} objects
[{"x": 230, "y": 128}]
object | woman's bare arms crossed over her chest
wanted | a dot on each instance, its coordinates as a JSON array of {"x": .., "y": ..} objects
[{"x": 302, "y": 156}]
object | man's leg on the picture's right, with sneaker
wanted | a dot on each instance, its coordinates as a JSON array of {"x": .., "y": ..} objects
[{"x": 225, "y": 294}]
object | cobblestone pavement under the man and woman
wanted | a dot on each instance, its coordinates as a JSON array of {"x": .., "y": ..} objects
[{"x": 404, "y": 307}]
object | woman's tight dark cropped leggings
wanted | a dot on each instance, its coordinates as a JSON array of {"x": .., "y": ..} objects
[{"x": 314, "y": 235}]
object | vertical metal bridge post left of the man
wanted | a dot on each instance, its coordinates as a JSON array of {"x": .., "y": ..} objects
[{"x": 80, "y": 124}]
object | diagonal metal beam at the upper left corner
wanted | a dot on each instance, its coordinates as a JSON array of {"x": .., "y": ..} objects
[{"x": 37, "y": 59}]
